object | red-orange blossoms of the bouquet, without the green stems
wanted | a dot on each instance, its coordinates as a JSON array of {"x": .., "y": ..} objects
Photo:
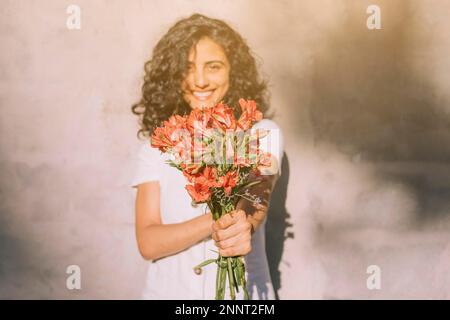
[{"x": 185, "y": 137}]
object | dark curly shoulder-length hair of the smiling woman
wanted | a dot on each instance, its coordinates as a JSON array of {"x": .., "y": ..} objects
[{"x": 162, "y": 95}]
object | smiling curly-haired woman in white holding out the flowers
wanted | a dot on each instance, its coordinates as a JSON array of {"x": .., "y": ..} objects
[{"x": 199, "y": 62}]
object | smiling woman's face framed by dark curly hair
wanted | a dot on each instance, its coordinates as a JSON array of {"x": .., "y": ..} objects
[{"x": 208, "y": 76}]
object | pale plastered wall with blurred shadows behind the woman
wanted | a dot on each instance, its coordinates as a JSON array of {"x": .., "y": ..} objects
[{"x": 365, "y": 114}]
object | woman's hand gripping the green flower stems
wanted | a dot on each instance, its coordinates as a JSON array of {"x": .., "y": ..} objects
[{"x": 233, "y": 234}]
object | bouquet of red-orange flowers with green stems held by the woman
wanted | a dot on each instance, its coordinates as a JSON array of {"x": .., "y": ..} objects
[{"x": 217, "y": 154}]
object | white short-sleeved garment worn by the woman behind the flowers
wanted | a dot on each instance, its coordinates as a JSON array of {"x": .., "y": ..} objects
[{"x": 173, "y": 277}]
